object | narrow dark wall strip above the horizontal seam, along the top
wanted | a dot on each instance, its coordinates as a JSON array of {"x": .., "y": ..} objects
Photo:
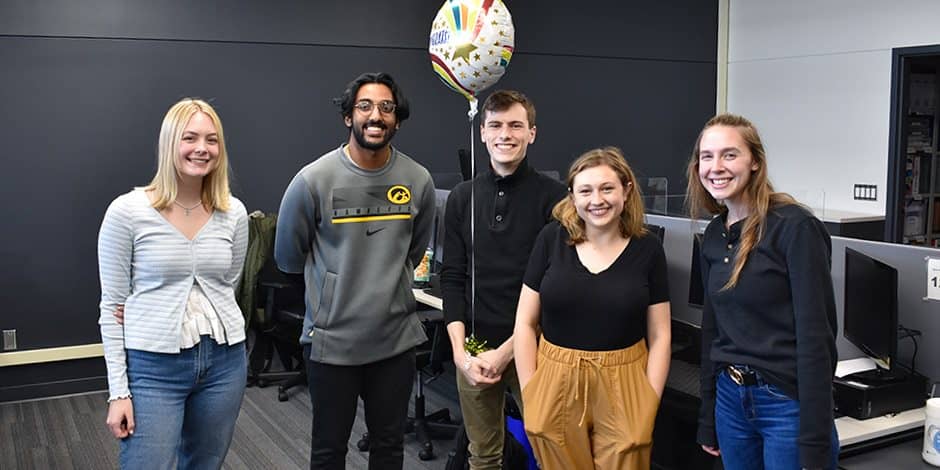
[{"x": 604, "y": 28}]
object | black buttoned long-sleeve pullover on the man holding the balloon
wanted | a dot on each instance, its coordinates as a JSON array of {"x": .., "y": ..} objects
[{"x": 510, "y": 211}]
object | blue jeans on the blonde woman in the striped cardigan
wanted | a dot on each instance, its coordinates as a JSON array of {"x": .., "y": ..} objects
[{"x": 185, "y": 406}]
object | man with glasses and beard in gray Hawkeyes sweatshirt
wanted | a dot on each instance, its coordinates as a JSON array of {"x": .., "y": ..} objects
[{"x": 355, "y": 222}]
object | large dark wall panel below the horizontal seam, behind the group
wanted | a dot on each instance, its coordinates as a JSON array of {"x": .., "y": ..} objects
[{"x": 82, "y": 115}]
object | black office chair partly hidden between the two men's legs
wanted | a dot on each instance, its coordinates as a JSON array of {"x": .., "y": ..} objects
[{"x": 429, "y": 361}]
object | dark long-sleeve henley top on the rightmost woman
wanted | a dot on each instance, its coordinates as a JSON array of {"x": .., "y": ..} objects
[{"x": 780, "y": 319}]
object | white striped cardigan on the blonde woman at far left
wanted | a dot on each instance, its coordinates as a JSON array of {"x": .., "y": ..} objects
[{"x": 148, "y": 265}]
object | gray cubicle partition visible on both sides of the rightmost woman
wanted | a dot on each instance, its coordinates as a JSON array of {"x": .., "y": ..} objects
[{"x": 913, "y": 311}]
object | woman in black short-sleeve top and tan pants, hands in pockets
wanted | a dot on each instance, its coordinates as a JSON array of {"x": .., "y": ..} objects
[{"x": 596, "y": 286}]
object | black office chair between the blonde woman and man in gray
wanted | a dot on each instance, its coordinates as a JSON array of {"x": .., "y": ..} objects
[{"x": 279, "y": 330}]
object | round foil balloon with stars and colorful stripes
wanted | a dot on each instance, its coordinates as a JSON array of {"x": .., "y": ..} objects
[{"x": 471, "y": 44}]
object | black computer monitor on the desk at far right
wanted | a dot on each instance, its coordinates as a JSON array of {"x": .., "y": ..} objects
[{"x": 870, "y": 316}]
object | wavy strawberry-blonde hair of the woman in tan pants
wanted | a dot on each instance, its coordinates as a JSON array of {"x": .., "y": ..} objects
[{"x": 631, "y": 219}]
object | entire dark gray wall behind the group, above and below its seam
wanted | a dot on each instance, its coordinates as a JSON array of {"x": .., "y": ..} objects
[{"x": 84, "y": 86}]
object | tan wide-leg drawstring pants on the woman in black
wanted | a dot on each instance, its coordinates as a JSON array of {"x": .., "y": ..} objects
[{"x": 590, "y": 409}]
